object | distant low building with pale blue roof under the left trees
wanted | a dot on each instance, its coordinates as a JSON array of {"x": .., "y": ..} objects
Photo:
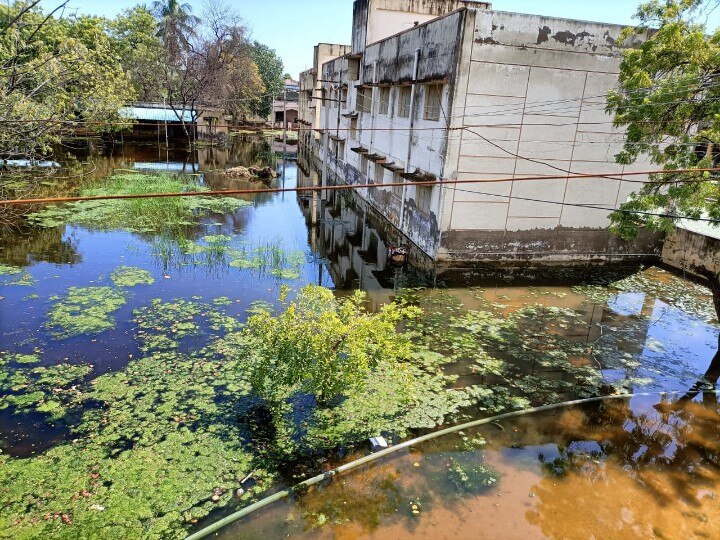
[{"x": 152, "y": 119}]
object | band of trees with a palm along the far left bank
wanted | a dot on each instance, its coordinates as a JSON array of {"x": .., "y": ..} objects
[{"x": 59, "y": 72}]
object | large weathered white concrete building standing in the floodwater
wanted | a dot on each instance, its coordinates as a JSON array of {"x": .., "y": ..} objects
[{"x": 453, "y": 90}]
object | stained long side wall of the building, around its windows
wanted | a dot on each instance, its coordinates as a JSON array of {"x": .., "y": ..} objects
[{"x": 409, "y": 142}]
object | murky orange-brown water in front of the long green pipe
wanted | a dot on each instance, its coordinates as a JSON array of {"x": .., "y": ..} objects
[{"x": 625, "y": 469}]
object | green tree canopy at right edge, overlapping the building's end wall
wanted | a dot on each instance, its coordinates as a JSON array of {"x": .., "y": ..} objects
[{"x": 669, "y": 102}]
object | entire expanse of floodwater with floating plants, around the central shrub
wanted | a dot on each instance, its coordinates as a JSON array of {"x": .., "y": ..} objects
[{"x": 98, "y": 312}]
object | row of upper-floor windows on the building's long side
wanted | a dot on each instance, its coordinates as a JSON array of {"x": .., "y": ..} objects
[{"x": 395, "y": 99}]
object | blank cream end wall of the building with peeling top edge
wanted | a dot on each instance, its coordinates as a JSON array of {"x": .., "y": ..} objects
[{"x": 530, "y": 102}]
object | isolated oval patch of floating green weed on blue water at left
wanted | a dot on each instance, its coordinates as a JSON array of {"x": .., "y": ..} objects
[{"x": 84, "y": 310}]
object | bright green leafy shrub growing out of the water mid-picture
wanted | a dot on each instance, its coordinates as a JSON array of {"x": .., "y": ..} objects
[{"x": 323, "y": 345}]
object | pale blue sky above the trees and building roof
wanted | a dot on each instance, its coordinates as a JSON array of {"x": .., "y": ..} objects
[{"x": 293, "y": 27}]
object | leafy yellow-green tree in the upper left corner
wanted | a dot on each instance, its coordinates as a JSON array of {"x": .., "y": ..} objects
[{"x": 55, "y": 74}]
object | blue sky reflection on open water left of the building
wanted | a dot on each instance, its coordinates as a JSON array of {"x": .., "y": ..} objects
[{"x": 272, "y": 218}]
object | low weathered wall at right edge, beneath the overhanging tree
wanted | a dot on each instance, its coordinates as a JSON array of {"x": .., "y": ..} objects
[{"x": 686, "y": 250}]
